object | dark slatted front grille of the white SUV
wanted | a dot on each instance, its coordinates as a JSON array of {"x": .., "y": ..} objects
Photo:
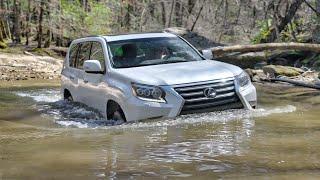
[{"x": 196, "y": 100}]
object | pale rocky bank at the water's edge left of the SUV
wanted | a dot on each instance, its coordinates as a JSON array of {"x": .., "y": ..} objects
[{"x": 14, "y": 67}]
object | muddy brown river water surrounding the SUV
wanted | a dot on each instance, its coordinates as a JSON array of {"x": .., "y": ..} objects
[{"x": 42, "y": 137}]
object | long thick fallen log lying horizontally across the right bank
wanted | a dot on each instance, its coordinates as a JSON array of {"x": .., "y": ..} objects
[{"x": 221, "y": 50}]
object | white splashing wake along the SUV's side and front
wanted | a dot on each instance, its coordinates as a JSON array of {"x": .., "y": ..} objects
[{"x": 76, "y": 115}]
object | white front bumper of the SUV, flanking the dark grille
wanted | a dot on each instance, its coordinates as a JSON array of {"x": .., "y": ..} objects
[{"x": 136, "y": 109}]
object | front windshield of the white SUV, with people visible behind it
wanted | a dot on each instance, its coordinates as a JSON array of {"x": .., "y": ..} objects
[{"x": 151, "y": 51}]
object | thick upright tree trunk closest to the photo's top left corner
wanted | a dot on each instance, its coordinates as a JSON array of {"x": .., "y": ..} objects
[{"x": 16, "y": 24}]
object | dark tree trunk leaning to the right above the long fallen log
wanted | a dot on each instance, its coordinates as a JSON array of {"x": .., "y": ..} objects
[{"x": 284, "y": 21}]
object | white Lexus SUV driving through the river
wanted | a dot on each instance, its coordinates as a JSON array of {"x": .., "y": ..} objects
[{"x": 151, "y": 75}]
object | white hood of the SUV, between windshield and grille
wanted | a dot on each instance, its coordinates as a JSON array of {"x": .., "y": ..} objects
[{"x": 179, "y": 73}]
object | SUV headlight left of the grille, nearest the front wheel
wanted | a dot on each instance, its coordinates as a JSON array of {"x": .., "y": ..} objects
[{"x": 148, "y": 93}]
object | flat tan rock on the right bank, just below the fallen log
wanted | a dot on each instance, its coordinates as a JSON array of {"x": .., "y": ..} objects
[{"x": 277, "y": 70}]
